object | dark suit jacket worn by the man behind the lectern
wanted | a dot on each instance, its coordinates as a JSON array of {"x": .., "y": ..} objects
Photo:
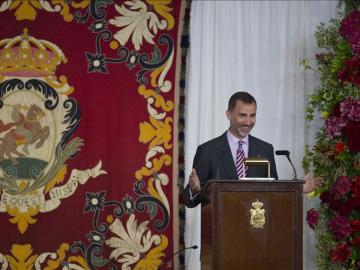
[{"x": 213, "y": 160}]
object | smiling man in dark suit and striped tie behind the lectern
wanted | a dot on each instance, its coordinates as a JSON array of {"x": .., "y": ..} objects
[{"x": 221, "y": 158}]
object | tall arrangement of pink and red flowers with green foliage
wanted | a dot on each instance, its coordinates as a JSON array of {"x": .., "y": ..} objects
[{"x": 336, "y": 153}]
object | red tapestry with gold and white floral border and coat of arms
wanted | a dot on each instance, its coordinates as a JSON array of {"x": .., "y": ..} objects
[{"x": 87, "y": 133}]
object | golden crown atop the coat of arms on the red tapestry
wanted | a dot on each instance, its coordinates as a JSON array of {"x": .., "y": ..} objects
[{"x": 25, "y": 55}]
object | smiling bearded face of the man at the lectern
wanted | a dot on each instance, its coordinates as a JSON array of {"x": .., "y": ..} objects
[{"x": 242, "y": 119}]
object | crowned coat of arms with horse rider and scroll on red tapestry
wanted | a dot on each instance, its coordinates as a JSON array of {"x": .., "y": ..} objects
[{"x": 37, "y": 121}]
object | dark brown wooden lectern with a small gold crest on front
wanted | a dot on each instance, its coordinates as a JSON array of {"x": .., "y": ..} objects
[{"x": 252, "y": 224}]
